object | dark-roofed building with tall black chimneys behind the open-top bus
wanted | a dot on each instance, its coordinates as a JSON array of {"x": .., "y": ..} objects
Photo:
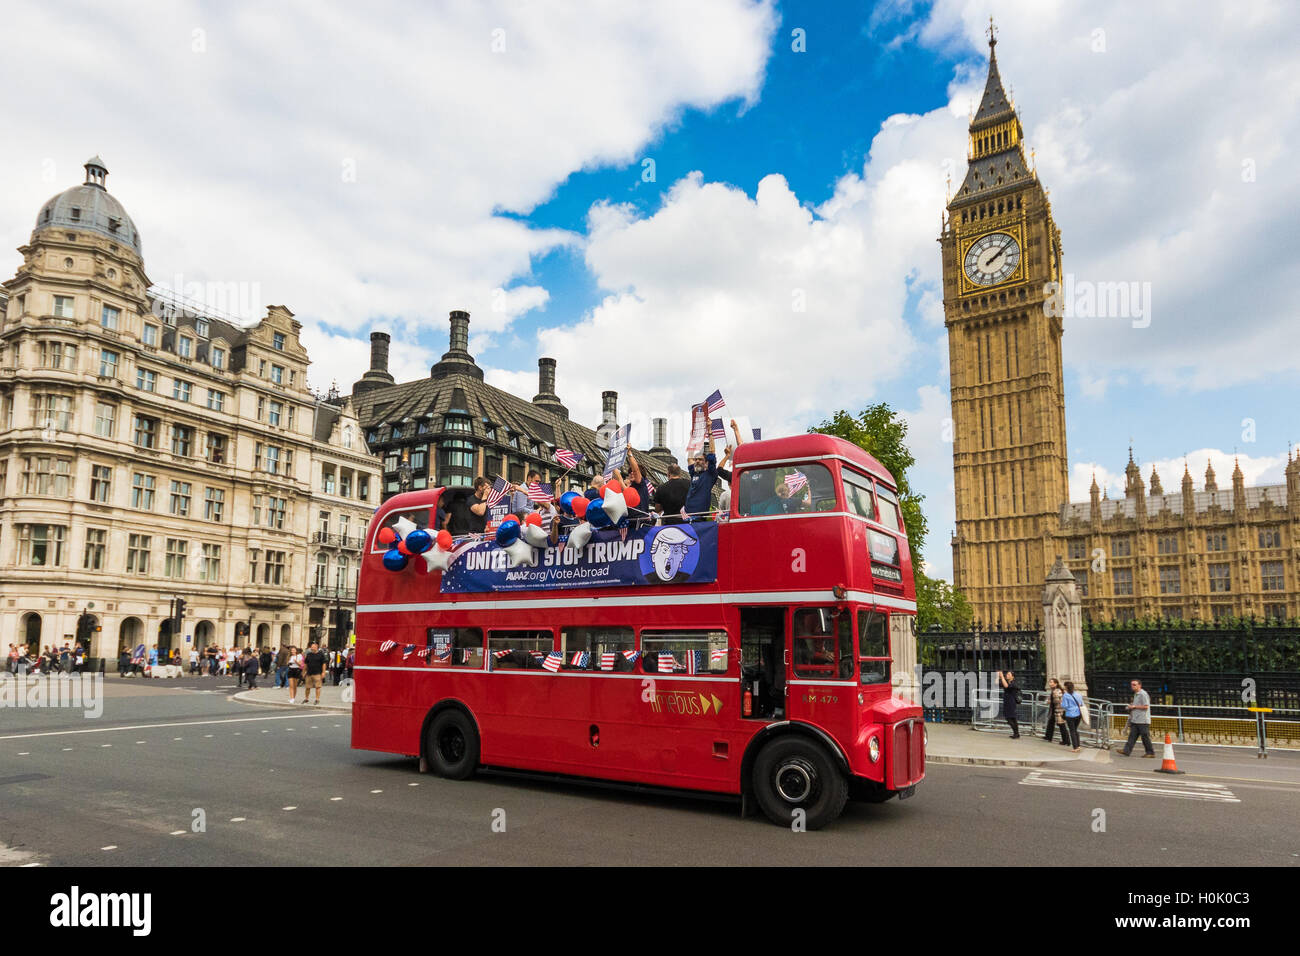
[{"x": 452, "y": 427}]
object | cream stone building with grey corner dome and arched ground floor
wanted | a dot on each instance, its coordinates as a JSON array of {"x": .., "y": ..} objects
[{"x": 151, "y": 452}]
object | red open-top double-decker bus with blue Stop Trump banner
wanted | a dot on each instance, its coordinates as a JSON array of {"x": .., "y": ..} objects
[{"x": 748, "y": 656}]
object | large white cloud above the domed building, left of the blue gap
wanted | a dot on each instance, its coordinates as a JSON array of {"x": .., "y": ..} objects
[{"x": 352, "y": 161}]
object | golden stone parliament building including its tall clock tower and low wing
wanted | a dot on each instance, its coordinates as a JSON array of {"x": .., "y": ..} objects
[{"x": 1199, "y": 553}]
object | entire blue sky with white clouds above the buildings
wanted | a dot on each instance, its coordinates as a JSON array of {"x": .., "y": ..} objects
[{"x": 671, "y": 198}]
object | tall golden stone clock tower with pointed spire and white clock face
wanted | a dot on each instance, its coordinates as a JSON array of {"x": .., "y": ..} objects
[{"x": 1000, "y": 252}]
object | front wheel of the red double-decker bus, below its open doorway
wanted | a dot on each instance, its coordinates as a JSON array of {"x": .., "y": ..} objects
[{"x": 795, "y": 775}]
